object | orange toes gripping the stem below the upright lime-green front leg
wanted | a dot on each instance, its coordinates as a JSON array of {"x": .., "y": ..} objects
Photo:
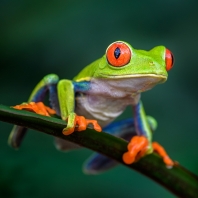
[{"x": 81, "y": 123}]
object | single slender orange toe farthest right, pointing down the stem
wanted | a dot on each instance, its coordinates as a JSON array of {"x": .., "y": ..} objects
[{"x": 160, "y": 150}]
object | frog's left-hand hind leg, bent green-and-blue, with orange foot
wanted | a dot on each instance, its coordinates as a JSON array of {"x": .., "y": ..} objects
[{"x": 46, "y": 85}]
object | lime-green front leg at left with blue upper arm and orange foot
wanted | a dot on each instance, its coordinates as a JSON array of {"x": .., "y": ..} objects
[{"x": 66, "y": 97}]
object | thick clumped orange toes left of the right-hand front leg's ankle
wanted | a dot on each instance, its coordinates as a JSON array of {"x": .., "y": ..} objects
[{"x": 137, "y": 148}]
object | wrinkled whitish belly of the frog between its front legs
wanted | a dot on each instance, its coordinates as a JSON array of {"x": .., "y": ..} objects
[{"x": 105, "y": 100}]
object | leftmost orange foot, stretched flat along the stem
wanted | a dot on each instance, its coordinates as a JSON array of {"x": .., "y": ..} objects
[{"x": 38, "y": 108}]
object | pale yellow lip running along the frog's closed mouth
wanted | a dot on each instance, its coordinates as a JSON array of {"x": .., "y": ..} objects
[{"x": 162, "y": 78}]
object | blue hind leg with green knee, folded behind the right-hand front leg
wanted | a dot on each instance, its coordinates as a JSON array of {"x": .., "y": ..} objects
[{"x": 125, "y": 129}]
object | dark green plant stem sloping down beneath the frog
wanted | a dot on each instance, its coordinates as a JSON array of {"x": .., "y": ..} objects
[{"x": 178, "y": 180}]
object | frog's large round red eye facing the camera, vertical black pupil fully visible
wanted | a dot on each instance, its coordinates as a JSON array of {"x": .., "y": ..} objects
[{"x": 118, "y": 54}]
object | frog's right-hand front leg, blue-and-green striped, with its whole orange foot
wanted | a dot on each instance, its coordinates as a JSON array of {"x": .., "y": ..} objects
[{"x": 141, "y": 144}]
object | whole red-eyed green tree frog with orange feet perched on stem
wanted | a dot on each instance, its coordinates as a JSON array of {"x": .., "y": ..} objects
[{"x": 99, "y": 94}]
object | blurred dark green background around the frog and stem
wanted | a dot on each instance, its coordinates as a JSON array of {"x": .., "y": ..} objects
[{"x": 41, "y": 37}]
